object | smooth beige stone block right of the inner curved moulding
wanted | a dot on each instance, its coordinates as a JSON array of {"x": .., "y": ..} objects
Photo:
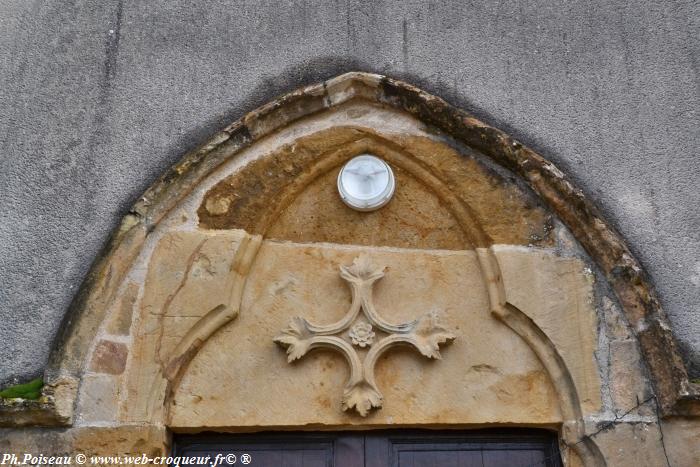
[{"x": 557, "y": 294}]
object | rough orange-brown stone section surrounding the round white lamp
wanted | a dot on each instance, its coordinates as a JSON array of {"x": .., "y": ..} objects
[{"x": 291, "y": 194}]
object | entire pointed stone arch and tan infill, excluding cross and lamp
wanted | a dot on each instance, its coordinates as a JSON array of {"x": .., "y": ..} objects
[{"x": 174, "y": 328}]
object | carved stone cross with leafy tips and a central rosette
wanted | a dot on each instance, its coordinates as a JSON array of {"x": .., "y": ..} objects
[{"x": 361, "y": 392}]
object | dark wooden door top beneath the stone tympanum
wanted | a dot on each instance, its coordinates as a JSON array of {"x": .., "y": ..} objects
[{"x": 395, "y": 448}]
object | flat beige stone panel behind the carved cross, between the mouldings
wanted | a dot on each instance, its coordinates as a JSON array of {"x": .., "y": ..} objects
[{"x": 242, "y": 379}]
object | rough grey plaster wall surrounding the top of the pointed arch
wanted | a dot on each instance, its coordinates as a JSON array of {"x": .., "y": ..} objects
[{"x": 97, "y": 98}]
